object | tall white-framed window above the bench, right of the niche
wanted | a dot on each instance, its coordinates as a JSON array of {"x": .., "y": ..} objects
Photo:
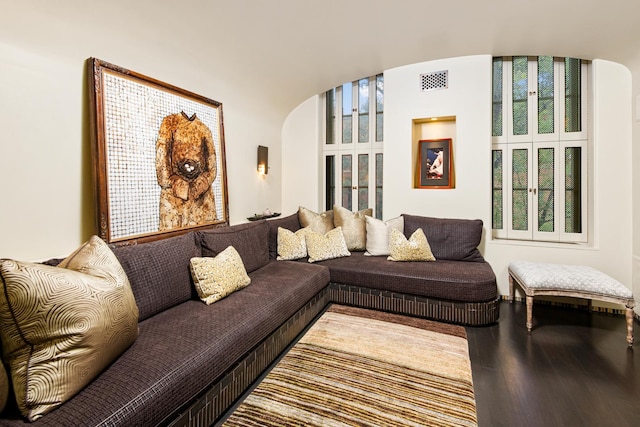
[{"x": 542, "y": 196}]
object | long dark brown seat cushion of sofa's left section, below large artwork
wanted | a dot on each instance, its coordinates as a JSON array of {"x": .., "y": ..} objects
[{"x": 182, "y": 350}]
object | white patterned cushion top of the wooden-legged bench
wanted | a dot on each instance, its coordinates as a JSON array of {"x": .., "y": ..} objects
[{"x": 543, "y": 276}]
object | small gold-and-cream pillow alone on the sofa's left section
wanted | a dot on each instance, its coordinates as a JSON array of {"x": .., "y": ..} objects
[{"x": 220, "y": 276}]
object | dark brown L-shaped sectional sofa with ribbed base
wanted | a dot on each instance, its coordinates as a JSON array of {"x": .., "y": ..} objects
[{"x": 191, "y": 361}]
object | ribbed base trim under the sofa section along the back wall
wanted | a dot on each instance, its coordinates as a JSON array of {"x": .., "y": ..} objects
[{"x": 463, "y": 313}]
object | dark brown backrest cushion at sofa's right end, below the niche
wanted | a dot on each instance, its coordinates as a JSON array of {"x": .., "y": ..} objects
[{"x": 452, "y": 239}]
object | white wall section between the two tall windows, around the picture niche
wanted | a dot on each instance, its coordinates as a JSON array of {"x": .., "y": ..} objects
[{"x": 468, "y": 99}]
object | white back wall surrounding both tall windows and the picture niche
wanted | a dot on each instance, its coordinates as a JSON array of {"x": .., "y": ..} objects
[{"x": 468, "y": 99}]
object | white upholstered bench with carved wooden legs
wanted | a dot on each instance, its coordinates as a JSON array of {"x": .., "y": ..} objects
[{"x": 569, "y": 281}]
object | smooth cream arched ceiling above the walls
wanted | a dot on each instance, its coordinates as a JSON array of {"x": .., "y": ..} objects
[{"x": 285, "y": 51}]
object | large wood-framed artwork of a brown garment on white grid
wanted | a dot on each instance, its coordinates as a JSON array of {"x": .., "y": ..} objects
[{"x": 159, "y": 157}]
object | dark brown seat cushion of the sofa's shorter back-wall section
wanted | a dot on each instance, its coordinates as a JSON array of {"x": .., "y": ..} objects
[{"x": 442, "y": 279}]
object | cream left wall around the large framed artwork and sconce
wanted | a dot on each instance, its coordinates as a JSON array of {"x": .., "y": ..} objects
[{"x": 47, "y": 207}]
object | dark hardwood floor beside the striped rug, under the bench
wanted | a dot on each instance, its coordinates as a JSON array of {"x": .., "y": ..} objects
[{"x": 573, "y": 369}]
